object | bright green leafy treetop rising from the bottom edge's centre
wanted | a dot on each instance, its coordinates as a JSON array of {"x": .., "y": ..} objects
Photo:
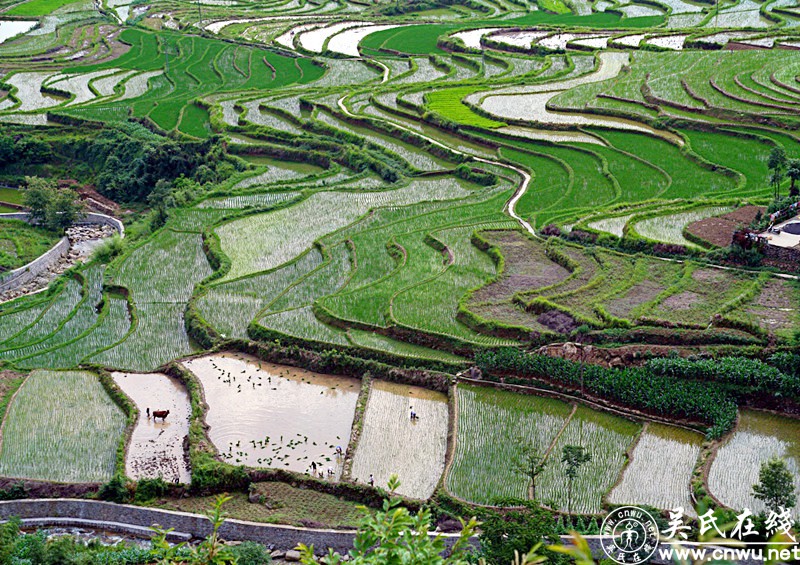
[{"x": 395, "y": 535}]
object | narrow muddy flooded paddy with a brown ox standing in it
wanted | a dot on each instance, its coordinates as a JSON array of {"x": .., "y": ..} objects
[{"x": 156, "y": 447}]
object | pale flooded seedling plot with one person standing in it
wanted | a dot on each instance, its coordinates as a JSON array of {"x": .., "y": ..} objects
[{"x": 392, "y": 443}]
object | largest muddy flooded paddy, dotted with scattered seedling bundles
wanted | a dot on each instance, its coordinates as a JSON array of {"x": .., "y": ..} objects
[{"x": 266, "y": 415}]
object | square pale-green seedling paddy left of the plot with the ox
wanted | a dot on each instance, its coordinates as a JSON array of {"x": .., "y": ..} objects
[{"x": 62, "y": 427}]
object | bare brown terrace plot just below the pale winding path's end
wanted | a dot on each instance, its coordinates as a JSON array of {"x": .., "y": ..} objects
[{"x": 526, "y": 267}]
